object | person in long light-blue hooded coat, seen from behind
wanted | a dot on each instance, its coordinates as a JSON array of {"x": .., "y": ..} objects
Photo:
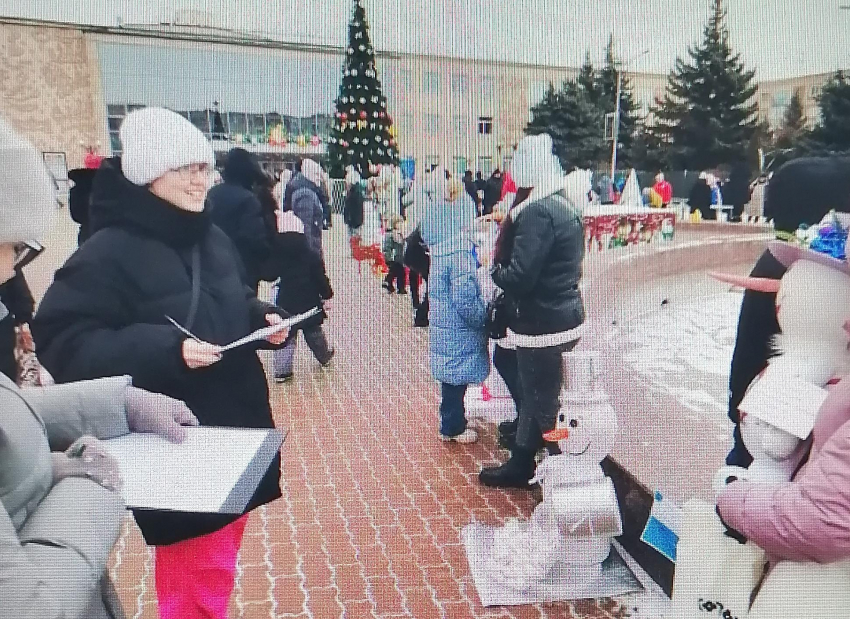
[{"x": 457, "y": 338}]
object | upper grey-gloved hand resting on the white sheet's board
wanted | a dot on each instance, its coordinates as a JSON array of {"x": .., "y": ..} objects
[{"x": 155, "y": 413}]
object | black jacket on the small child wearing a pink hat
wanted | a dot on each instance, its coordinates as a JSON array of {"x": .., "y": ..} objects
[{"x": 304, "y": 283}]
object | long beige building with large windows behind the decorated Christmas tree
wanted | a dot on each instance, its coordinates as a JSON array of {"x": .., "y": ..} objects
[{"x": 68, "y": 87}]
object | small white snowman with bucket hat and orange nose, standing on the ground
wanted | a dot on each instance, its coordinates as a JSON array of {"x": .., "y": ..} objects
[{"x": 570, "y": 531}]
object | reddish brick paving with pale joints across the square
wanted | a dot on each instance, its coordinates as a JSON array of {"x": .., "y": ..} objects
[{"x": 373, "y": 503}]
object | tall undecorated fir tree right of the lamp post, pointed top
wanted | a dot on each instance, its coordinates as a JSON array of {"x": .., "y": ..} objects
[{"x": 708, "y": 114}]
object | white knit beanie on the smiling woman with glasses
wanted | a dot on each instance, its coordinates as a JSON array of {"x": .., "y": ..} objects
[{"x": 155, "y": 140}]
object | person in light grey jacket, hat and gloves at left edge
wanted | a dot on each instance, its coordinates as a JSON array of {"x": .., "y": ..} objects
[{"x": 60, "y": 509}]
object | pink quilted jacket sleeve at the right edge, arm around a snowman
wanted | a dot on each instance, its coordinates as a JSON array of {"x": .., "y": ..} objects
[{"x": 807, "y": 519}]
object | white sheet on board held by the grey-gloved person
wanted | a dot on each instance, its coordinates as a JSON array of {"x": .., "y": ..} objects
[{"x": 213, "y": 470}]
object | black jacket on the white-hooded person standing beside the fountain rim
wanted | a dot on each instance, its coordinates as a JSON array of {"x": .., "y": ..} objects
[{"x": 540, "y": 266}]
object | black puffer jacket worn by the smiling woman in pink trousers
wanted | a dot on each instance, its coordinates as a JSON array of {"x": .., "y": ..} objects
[{"x": 105, "y": 315}]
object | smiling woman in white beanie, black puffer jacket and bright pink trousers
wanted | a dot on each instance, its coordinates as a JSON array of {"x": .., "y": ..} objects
[{"x": 154, "y": 257}]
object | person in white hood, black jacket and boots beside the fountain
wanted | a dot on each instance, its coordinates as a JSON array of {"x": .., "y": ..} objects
[{"x": 538, "y": 265}]
